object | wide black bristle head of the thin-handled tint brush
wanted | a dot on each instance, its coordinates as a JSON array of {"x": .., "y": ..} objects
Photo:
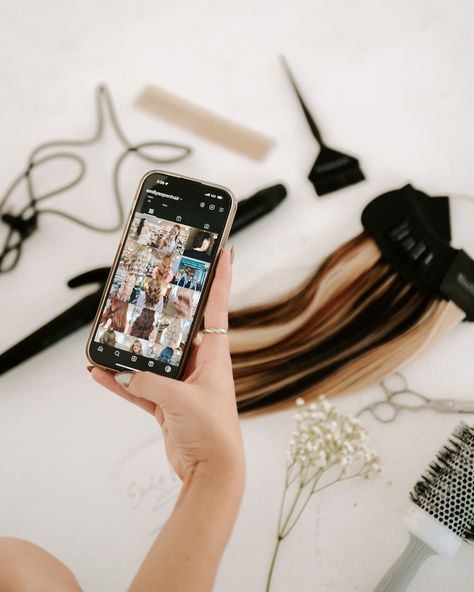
[{"x": 334, "y": 170}]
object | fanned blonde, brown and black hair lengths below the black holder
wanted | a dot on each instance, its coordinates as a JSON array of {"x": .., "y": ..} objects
[{"x": 351, "y": 323}]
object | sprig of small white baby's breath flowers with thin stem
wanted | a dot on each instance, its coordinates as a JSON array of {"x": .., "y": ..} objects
[{"x": 327, "y": 447}]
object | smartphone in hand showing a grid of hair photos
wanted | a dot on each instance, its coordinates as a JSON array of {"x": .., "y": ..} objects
[{"x": 155, "y": 295}]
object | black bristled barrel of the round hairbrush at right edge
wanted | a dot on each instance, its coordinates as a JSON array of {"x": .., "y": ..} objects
[{"x": 446, "y": 490}]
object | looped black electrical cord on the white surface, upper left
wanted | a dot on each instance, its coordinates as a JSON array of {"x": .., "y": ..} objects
[{"x": 25, "y": 222}]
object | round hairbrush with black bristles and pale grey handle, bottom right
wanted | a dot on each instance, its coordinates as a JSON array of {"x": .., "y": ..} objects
[{"x": 443, "y": 514}]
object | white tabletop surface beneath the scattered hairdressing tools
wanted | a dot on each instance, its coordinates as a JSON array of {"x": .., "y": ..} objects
[{"x": 83, "y": 473}]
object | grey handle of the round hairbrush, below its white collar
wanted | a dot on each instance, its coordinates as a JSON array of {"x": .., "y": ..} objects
[{"x": 399, "y": 576}]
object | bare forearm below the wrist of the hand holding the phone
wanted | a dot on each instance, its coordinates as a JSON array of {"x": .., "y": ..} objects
[{"x": 187, "y": 552}]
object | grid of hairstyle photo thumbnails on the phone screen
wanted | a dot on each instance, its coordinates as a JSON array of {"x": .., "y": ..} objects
[{"x": 156, "y": 289}]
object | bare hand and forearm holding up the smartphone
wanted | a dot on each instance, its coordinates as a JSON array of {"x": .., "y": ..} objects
[{"x": 199, "y": 420}]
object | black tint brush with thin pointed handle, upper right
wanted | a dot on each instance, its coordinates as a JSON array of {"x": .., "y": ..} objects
[{"x": 332, "y": 170}]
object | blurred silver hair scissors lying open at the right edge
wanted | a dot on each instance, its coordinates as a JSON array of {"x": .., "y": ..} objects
[{"x": 399, "y": 396}]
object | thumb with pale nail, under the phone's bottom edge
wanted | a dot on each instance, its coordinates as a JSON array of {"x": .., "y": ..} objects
[{"x": 158, "y": 389}]
